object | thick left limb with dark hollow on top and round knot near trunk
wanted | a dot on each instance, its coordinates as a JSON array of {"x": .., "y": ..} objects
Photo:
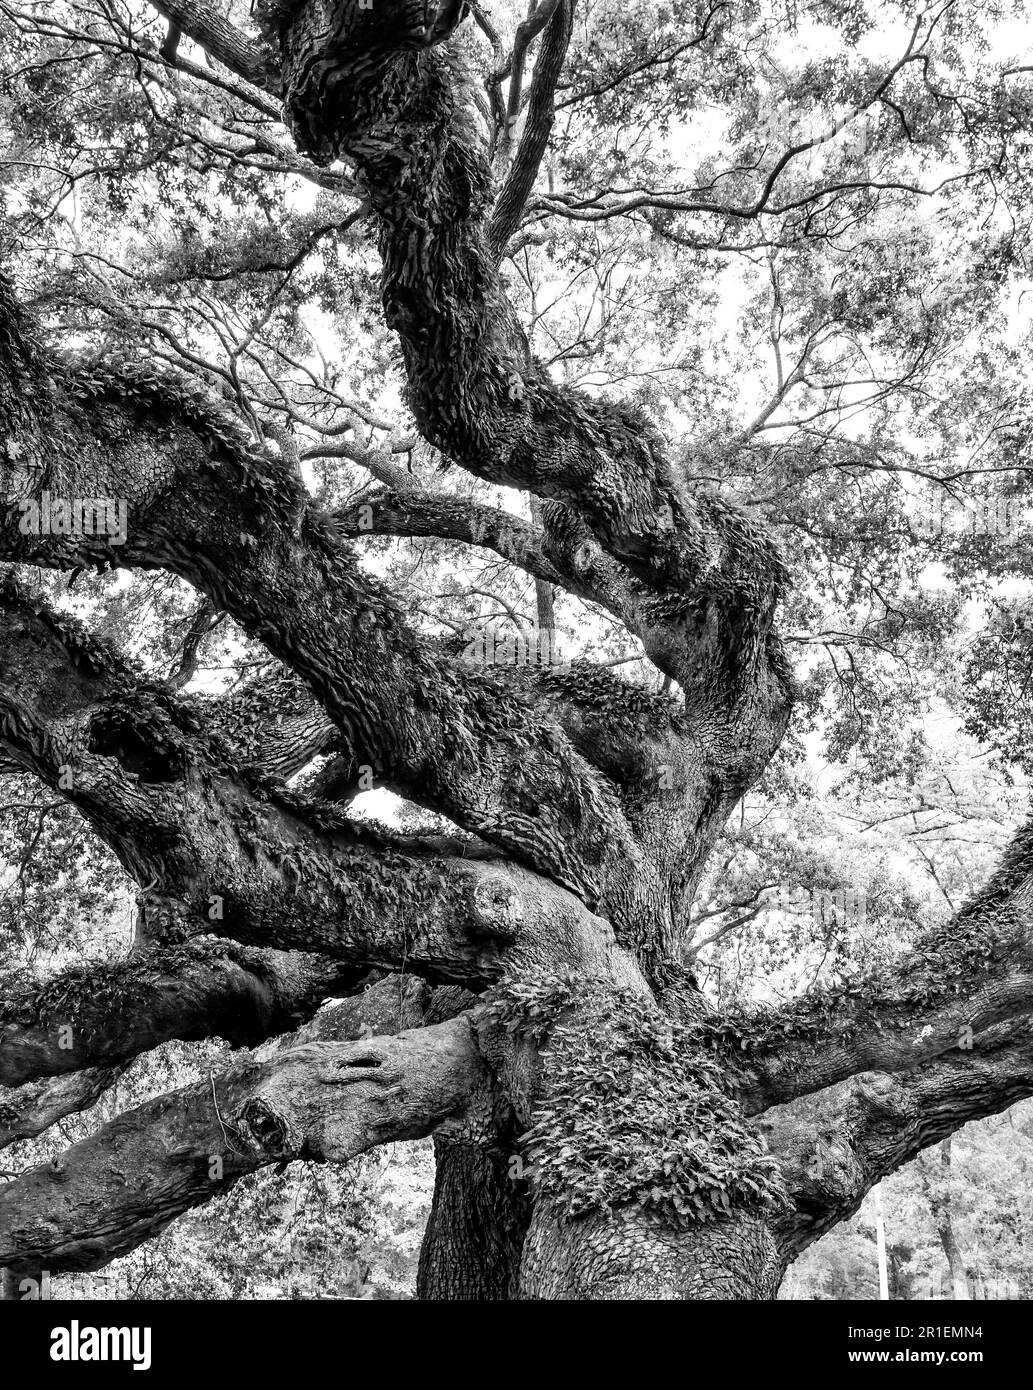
[{"x": 233, "y": 854}]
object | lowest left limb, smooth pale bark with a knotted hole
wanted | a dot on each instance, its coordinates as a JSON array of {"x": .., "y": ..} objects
[{"x": 318, "y": 1100}]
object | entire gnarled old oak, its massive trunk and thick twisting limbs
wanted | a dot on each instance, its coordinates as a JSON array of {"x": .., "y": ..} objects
[{"x": 600, "y": 1134}]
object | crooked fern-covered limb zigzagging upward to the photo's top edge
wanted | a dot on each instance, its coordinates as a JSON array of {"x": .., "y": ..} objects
[{"x": 476, "y": 393}]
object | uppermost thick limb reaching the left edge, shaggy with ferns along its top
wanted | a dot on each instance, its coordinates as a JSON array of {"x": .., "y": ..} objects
[{"x": 247, "y": 536}]
